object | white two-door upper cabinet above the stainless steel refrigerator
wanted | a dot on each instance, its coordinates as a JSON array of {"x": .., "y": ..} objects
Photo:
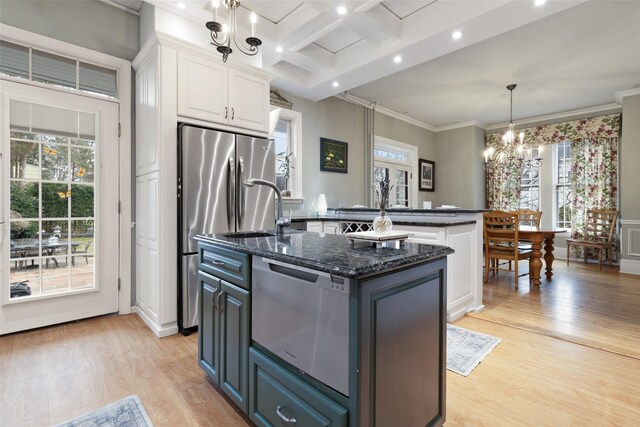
[{"x": 220, "y": 93}]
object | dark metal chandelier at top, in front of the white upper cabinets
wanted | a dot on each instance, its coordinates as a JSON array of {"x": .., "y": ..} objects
[{"x": 222, "y": 35}]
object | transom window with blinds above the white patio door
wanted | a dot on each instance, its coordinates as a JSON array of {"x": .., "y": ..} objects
[{"x": 46, "y": 67}]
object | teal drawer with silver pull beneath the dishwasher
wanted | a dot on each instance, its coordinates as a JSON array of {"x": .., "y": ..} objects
[{"x": 278, "y": 398}]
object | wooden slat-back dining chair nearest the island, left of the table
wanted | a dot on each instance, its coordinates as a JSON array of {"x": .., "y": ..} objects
[{"x": 501, "y": 242}]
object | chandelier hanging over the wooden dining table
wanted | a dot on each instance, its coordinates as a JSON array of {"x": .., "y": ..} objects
[{"x": 514, "y": 151}]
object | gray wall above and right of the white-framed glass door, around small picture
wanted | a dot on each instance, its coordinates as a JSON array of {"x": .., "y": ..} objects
[{"x": 424, "y": 139}]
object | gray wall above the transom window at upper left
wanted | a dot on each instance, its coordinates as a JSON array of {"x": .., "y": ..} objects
[{"x": 87, "y": 23}]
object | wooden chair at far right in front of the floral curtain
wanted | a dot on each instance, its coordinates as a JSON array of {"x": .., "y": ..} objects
[{"x": 600, "y": 228}]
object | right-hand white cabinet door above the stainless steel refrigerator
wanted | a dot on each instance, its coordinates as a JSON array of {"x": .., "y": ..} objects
[{"x": 248, "y": 101}]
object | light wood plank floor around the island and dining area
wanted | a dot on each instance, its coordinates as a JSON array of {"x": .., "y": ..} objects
[{"x": 531, "y": 378}]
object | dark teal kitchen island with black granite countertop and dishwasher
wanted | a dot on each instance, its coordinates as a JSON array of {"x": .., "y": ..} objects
[{"x": 303, "y": 329}]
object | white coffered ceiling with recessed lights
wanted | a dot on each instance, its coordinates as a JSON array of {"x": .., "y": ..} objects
[{"x": 552, "y": 51}]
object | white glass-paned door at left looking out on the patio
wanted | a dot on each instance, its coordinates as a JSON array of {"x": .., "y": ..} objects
[{"x": 58, "y": 207}]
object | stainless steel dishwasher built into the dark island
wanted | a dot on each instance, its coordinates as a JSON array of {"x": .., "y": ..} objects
[{"x": 302, "y": 316}]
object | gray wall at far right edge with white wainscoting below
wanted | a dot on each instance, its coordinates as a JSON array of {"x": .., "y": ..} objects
[{"x": 630, "y": 174}]
